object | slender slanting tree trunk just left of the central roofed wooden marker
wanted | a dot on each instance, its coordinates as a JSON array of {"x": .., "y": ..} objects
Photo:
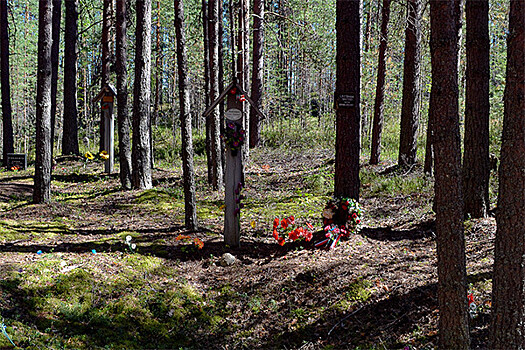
[{"x": 190, "y": 206}]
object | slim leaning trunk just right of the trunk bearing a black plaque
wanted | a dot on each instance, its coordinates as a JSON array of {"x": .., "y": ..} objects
[{"x": 379, "y": 105}]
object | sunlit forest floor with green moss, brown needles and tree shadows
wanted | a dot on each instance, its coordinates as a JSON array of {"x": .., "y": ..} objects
[{"x": 69, "y": 279}]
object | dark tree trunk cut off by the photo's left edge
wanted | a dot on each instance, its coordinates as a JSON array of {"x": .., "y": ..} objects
[{"x": 7, "y": 120}]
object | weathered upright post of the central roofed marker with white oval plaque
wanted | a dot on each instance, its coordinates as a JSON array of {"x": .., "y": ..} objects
[{"x": 234, "y": 177}]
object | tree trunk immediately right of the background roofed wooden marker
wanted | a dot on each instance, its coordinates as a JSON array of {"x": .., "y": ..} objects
[{"x": 123, "y": 122}]
